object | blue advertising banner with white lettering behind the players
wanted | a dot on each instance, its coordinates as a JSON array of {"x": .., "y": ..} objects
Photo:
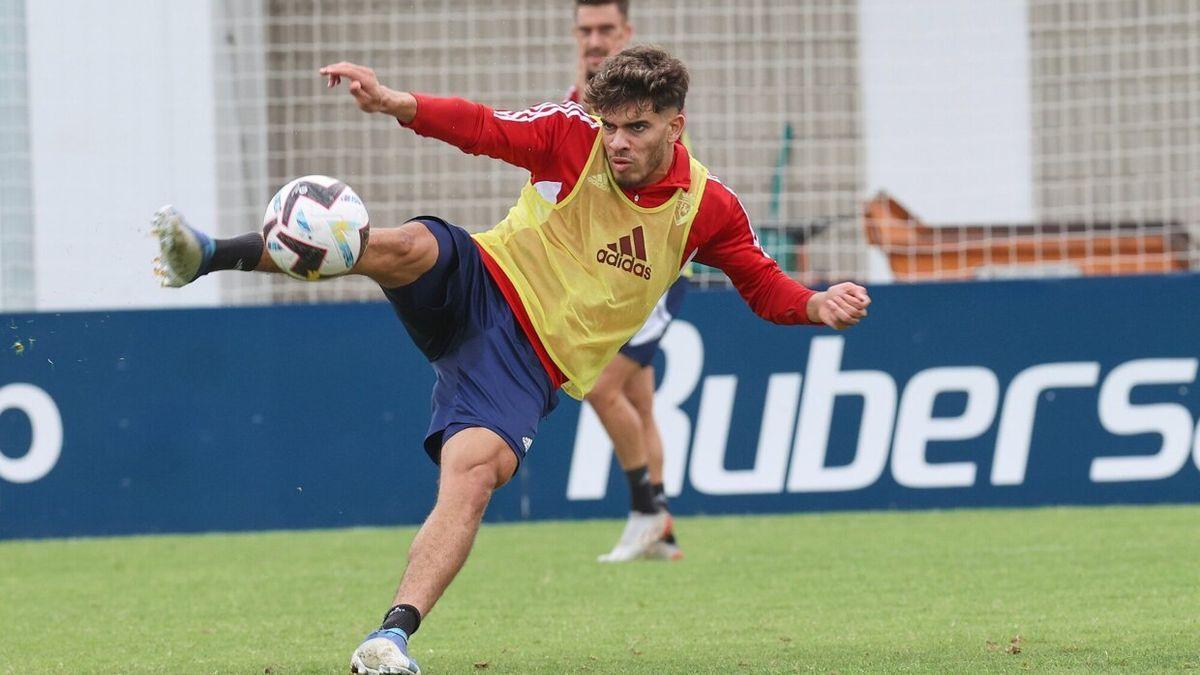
[{"x": 1078, "y": 392}]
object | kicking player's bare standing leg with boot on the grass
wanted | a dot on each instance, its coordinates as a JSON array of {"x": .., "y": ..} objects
[{"x": 475, "y": 463}]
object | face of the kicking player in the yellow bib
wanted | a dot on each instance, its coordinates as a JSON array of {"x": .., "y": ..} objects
[{"x": 640, "y": 144}]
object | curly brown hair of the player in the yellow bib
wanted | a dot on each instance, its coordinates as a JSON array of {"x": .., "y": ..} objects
[{"x": 645, "y": 75}]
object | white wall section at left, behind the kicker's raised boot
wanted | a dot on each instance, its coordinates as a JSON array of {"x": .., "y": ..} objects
[{"x": 122, "y": 121}]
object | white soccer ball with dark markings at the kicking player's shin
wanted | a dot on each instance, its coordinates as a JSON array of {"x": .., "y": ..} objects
[{"x": 316, "y": 228}]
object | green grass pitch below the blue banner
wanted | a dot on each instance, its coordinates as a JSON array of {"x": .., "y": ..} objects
[{"x": 961, "y": 592}]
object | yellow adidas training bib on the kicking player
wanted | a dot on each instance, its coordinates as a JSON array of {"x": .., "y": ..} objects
[{"x": 591, "y": 268}]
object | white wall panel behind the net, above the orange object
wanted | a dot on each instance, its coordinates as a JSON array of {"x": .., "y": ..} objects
[{"x": 946, "y": 107}]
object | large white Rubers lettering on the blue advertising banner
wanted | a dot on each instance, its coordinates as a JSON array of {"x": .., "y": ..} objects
[{"x": 803, "y": 419}]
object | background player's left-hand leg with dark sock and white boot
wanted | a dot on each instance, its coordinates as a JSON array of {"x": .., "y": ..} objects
[{"x": 646, "y": 524}]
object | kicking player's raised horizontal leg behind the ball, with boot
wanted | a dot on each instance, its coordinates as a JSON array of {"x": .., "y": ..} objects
[{"x": 393, "y": 258}]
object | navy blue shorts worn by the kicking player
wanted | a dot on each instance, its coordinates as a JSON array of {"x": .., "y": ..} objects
[{"x": 489, "y": 374}]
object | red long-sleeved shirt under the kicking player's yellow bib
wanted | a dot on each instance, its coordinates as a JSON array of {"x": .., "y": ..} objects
[{"x": 554, "y": 142}]
